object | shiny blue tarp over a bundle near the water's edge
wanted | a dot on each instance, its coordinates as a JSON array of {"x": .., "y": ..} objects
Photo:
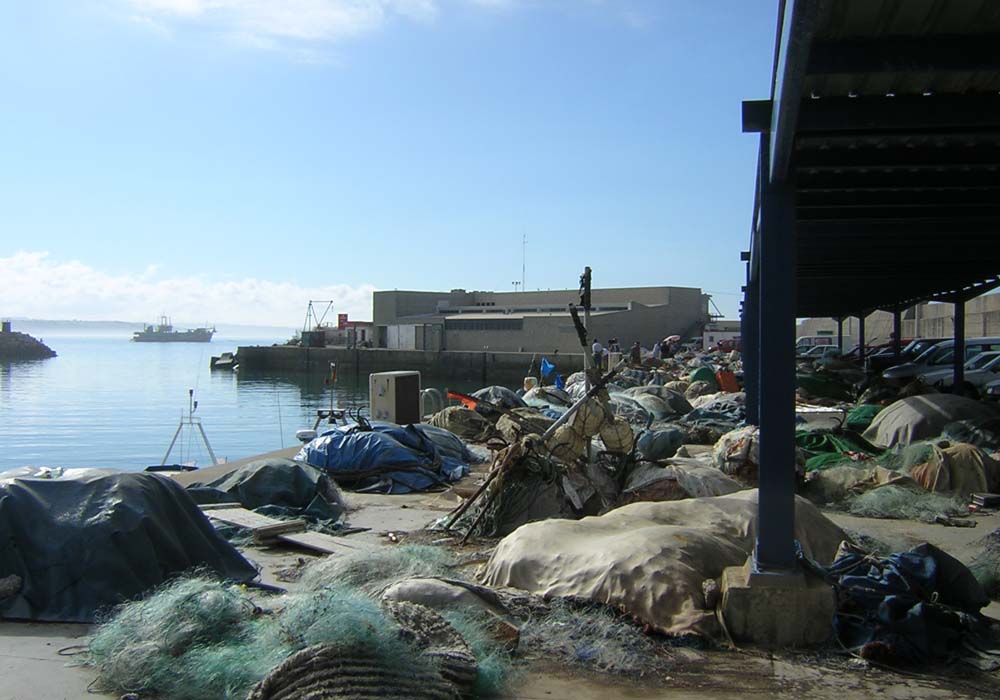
[{"x": 387, "y": 459}]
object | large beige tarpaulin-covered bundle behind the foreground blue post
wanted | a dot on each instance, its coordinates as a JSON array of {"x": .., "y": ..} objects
[{"x": 649, "y": 559}]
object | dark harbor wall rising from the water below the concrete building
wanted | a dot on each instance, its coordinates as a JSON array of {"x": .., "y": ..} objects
[{"x": 483, "y": 366}]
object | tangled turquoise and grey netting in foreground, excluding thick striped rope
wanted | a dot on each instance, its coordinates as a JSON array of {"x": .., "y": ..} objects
[{"x": 201, "y": 639}]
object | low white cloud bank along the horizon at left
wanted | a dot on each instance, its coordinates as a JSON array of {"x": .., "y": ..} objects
[{"x": 34, "y": 285}]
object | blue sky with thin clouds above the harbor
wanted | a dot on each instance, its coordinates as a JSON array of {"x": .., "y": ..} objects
[{"x": 230, "y": 159}]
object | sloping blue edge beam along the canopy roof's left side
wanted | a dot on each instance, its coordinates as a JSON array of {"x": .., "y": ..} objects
[{"x": 799, "y": 22}]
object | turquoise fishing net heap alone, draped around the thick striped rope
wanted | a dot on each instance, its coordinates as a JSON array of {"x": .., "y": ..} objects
[{"x": 198, "y": 638}]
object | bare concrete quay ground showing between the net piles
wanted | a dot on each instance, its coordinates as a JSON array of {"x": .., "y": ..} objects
[{"x": 34, "y": 660}]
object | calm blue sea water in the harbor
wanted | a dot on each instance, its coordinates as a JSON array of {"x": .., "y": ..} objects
[{"x": 108, "y": 402}]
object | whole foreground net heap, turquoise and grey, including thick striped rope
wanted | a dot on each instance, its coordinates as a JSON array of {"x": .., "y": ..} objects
[{"x": 358, "y": 628}]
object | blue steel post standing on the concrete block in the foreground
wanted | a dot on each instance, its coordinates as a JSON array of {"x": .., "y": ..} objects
[{"x": 776, "y": 307}]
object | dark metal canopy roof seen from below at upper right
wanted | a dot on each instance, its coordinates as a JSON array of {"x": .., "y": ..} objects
[{"x": 885, "y": 116}]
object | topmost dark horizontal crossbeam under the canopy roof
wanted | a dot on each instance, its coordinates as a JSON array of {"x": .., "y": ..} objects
[{"x": 935, "y": 54}]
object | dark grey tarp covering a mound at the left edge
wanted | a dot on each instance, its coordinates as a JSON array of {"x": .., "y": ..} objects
[{"x": 89, "y": 539}]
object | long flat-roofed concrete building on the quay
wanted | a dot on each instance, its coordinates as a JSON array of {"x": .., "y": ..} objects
[{"x": 533, "y": 321}]
